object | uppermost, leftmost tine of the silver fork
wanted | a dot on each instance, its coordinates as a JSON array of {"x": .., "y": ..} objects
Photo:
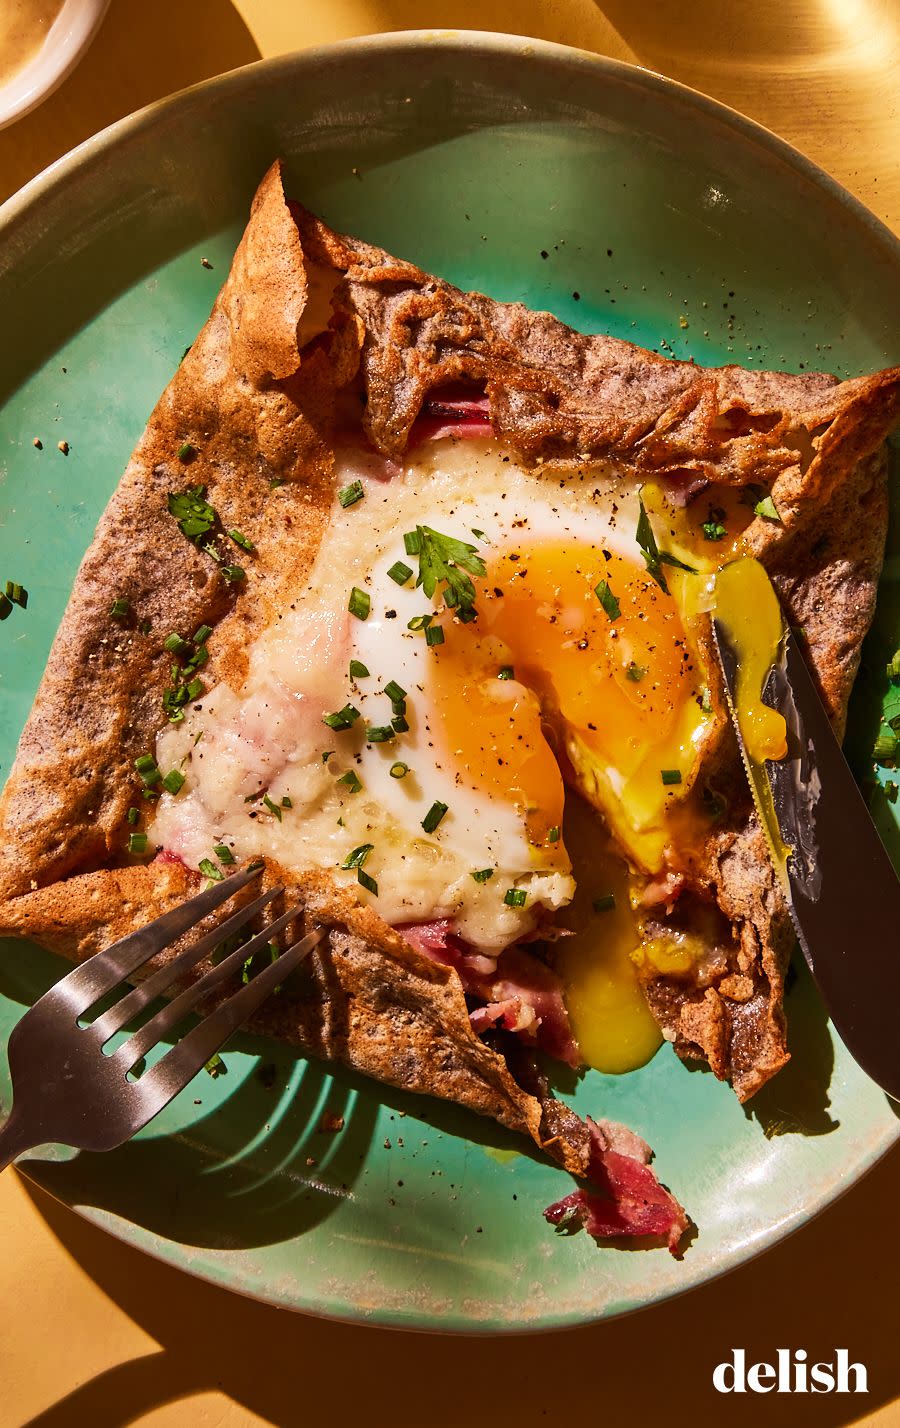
[{"x": 99, "y": 975}]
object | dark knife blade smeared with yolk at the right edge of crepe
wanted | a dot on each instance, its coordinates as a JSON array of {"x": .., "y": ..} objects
[{"x": 836, "y": 875}]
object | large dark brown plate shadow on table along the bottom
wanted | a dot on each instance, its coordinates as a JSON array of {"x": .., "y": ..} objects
[{"x": 831, "y": 1286}]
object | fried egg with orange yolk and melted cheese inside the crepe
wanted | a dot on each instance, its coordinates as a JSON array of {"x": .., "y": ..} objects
[{"x": 424, "y": 756}]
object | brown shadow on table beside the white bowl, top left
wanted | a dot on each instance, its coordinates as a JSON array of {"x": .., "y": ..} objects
[{"x": 145, "y": 51}]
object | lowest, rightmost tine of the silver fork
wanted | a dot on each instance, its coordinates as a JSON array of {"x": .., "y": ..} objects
[{"x": 178, "y": 1067}]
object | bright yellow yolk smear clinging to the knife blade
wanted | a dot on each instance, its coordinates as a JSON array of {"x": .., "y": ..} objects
[{"x": 749, "y": 609}]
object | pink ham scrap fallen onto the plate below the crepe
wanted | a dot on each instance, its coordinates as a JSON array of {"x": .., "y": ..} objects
[{"x": 631, "y": 1202}]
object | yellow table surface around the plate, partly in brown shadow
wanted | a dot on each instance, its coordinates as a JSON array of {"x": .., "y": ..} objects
[{"x": 94, "y": 1333}]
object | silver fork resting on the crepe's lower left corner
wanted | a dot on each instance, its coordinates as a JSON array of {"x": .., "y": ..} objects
[{"x": 66, "y": 1090}]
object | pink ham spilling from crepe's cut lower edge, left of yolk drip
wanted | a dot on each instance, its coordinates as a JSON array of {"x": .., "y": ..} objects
[{"x": 516, "y": 989}]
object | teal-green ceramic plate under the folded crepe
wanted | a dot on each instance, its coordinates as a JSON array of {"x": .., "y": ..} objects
[{"x": 626, "y": 205}]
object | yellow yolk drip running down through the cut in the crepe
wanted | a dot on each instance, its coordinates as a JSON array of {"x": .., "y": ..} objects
[{"x": 606, "y": 1006}]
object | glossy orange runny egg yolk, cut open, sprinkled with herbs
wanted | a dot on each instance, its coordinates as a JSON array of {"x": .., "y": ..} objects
[{"x": 549, "y": 650}]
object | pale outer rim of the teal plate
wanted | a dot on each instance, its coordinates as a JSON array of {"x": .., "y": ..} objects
[{"x": 132, "y": 128}]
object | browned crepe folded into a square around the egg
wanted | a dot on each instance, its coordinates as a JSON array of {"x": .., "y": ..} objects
[{"x": 261, "y": 396}]
